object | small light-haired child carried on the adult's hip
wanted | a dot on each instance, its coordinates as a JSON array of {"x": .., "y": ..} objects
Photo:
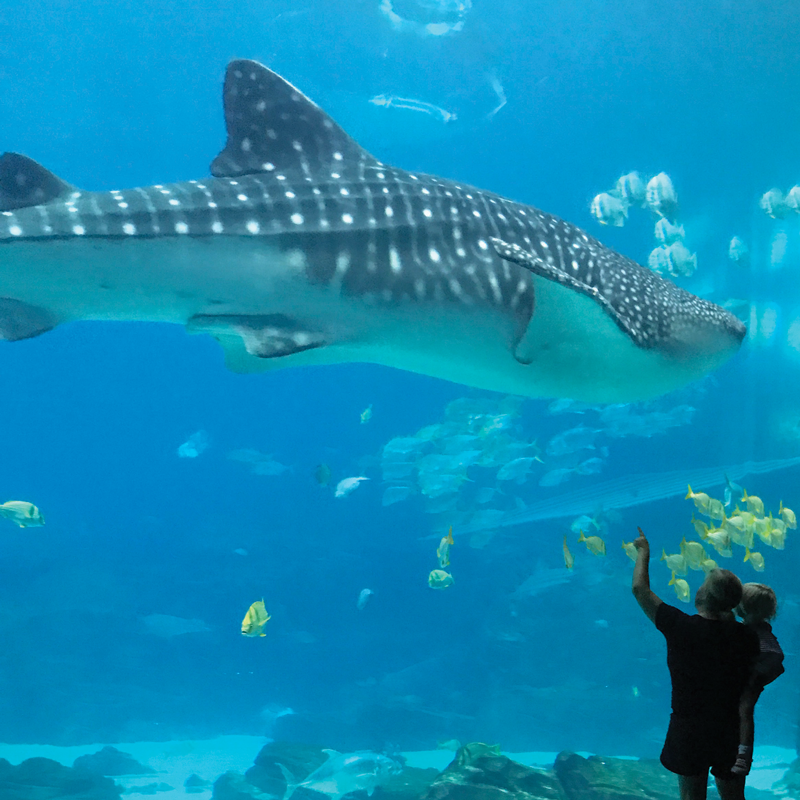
[{"x": 758, "y": 606}]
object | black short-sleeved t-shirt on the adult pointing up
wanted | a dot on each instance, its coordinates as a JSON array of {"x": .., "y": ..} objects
[{"x": 710, "y": 662}]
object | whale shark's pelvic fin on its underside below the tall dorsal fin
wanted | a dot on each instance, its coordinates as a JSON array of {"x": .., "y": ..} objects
[{"x": 247, "y": 338}]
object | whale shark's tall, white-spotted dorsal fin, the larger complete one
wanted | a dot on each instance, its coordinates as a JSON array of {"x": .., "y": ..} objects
[{"x": 274, "y": 127}]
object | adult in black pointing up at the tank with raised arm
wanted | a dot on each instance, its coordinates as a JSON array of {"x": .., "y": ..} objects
[{"x": 710, "y": 657}]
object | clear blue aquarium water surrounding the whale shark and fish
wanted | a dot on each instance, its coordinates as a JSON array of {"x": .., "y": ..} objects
[{"x": 112, "y": 95}]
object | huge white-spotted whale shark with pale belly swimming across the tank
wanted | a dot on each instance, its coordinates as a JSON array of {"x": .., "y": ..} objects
[{"x": 302, "y": 248}]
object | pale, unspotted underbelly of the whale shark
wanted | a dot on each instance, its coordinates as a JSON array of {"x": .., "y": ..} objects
[{"x": 175, "y": 279}]
